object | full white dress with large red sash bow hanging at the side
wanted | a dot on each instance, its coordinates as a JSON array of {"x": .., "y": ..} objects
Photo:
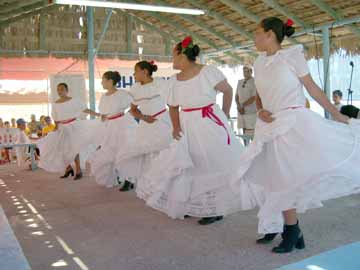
[{"x": 192, "y": 177}]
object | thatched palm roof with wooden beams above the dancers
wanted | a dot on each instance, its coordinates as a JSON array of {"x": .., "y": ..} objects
[{"x": 33, "y": 25}]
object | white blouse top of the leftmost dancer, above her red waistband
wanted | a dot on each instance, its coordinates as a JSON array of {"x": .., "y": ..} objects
[{"x": 70, "y": 109}]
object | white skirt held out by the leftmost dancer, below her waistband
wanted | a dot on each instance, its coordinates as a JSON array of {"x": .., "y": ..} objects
[{"x": 59, "y": 148}]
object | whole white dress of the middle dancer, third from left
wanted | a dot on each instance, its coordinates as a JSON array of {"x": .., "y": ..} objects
[{"x": 149, "y": 139}]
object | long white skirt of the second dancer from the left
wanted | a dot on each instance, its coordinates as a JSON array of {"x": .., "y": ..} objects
[{"x": 113, "y": 136}]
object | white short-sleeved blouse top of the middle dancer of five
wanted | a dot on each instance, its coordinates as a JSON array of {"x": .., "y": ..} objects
[{"x": 149, "y": 97}]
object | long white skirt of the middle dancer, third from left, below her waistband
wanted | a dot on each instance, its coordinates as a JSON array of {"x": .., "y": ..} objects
[{"x": 147, "y": 140}]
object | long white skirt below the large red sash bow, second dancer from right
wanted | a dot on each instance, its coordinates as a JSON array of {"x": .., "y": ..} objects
[{"x": 192, "y": 176}]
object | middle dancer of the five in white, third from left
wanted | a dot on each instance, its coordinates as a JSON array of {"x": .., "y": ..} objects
[{"x": 153, "y": 133}]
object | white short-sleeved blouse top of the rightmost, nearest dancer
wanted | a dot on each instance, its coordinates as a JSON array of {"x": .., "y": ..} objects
[{"x": 277, "y": 78}]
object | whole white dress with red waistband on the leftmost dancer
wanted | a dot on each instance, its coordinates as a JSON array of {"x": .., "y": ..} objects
[{"x": 59, "y": 149}]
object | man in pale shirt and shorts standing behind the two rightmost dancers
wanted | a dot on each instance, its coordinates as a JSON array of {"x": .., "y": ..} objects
[{"x": 245, "y": 100}]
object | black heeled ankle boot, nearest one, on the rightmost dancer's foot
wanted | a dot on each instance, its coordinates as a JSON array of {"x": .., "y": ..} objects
[{"x": 292, "y": 238}]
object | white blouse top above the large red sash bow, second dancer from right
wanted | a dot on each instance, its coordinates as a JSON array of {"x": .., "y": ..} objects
[{"x": 198, "y": 91}]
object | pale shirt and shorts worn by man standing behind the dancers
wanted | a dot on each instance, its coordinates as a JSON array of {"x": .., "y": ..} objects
[{"x": 246, "y": 90}]
